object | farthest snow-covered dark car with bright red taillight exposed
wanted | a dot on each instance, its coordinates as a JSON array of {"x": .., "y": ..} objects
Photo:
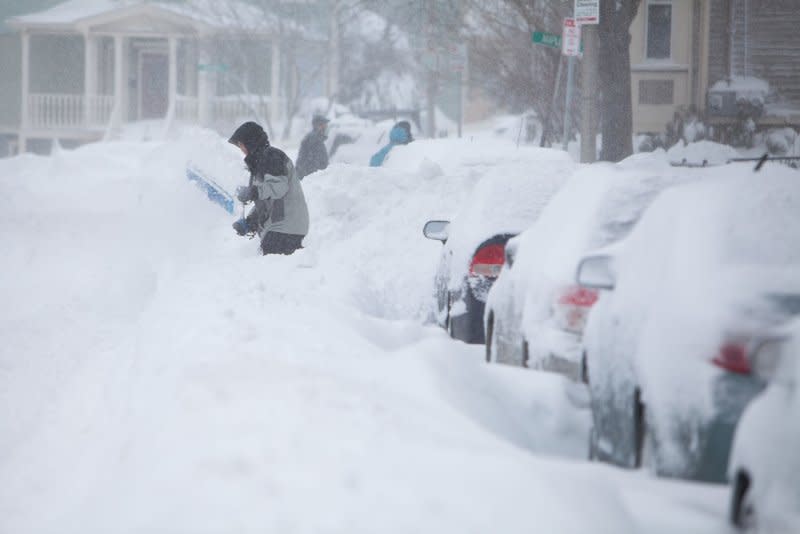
[{"x": 474, "y": 246}]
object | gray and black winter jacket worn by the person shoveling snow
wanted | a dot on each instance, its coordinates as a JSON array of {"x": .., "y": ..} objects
[{"x": 281, "y": 206}]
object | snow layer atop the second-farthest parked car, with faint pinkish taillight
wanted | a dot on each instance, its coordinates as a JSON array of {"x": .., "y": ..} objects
[{"x": 599, "y": 204}]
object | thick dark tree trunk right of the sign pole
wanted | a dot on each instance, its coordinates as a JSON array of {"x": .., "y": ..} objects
[{"x": 615, "y": 78}]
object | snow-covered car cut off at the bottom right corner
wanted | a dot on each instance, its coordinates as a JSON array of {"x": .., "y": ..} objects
[{"x": 765, "y": 463}]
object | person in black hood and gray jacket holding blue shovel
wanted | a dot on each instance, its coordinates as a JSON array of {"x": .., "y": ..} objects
[{"x": 279, "y": 215}]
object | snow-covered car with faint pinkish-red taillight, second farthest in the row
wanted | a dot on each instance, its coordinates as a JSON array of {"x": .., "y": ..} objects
[{"x": 535, "y": 311}]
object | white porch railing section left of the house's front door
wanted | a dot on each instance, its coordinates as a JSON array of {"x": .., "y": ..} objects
[{"x": 58, "y": 110}]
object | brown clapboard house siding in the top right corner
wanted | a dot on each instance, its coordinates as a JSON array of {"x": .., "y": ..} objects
[{"x": 757, "y": 38}]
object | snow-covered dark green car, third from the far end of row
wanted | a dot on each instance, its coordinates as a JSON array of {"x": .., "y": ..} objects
[{"x": 708, "y": 269}]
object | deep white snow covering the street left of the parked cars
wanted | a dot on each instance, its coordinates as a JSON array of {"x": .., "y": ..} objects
[{"x": 157, "y": 375}]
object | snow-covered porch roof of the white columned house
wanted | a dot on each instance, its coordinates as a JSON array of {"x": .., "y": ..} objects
[{"x": 203, "y": 16}]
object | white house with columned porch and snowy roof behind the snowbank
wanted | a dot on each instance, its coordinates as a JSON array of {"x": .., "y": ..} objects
[{"x": 79, "y": 71}]
